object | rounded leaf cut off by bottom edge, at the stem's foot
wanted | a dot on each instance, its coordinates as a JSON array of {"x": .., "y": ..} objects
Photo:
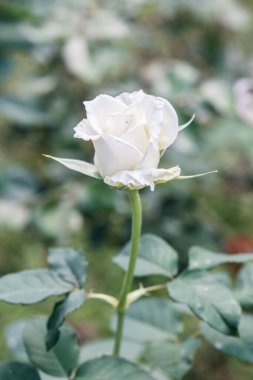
[{"x": 111, "y": 368}]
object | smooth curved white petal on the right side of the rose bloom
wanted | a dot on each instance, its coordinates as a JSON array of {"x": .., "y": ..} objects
[{"x": 170, "y": 126}]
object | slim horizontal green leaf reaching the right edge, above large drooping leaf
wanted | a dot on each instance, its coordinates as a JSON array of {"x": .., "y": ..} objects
[{"x": 200, "y": 258}]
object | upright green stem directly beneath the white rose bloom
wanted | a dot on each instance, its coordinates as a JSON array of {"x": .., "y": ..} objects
[{"x": 128, "y": 280}]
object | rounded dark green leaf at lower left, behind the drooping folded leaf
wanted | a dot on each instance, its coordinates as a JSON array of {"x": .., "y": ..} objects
[{"x": 62, "y": 359}]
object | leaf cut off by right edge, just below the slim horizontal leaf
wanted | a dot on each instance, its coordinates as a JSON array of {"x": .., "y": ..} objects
[{"x": 244, "y": 286}]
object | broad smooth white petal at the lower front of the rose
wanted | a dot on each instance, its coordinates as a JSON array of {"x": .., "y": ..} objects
[{"x": 113, "y": 155}]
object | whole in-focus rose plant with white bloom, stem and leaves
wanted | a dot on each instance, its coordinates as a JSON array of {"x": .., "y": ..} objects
[{"x": 150, "y": 339}]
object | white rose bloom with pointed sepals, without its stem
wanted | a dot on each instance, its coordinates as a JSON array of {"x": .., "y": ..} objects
[{"x": 129, "y": 132}]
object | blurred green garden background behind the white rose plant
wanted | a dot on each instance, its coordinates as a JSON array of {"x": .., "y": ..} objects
[{"x": 57, "y": 53}]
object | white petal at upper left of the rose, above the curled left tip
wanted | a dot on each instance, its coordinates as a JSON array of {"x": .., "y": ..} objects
[{"x": 101, "y": 108}]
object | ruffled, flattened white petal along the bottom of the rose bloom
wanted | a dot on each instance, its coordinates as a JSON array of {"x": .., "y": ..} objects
[{"x": 138, "y": 179}]
